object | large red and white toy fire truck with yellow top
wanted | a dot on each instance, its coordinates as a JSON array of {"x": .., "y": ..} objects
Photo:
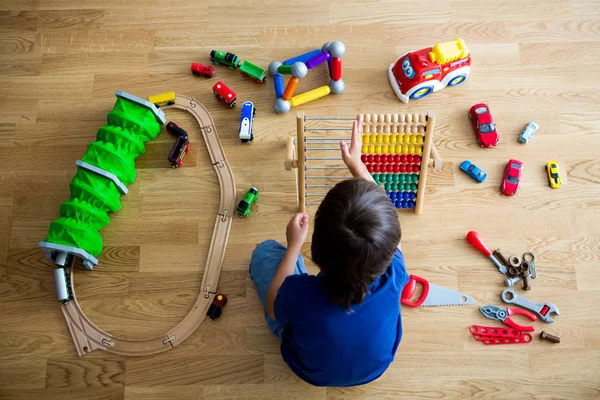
[{"x": 416, "y": 74}]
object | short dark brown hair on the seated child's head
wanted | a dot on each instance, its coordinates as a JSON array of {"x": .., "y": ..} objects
[{"x": 356, "y": 232}]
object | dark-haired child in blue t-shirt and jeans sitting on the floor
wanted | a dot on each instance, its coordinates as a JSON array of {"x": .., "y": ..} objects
[{"x": 341, "y": 327}]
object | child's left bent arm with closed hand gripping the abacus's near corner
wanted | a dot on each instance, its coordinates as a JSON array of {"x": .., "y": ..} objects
[{"x": 296, "y": 235}]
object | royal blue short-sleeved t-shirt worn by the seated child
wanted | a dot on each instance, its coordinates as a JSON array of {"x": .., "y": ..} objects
[{"x": 324, "y": 345}]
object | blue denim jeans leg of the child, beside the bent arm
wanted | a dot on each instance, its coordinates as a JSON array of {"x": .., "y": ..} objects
[{"x": 266, "y": 258}]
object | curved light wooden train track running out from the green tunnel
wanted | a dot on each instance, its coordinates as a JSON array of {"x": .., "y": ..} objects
[{"x": 88, "y": 337}]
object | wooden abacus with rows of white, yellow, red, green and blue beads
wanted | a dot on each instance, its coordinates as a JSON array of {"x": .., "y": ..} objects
[{"x": 394, "y": 147}]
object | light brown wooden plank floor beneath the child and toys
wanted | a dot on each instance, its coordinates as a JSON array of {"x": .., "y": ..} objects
[{"x": 60, "y": 64}]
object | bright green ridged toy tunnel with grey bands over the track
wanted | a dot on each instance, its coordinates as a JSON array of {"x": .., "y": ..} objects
[{"x": 103, "y": 174}]
